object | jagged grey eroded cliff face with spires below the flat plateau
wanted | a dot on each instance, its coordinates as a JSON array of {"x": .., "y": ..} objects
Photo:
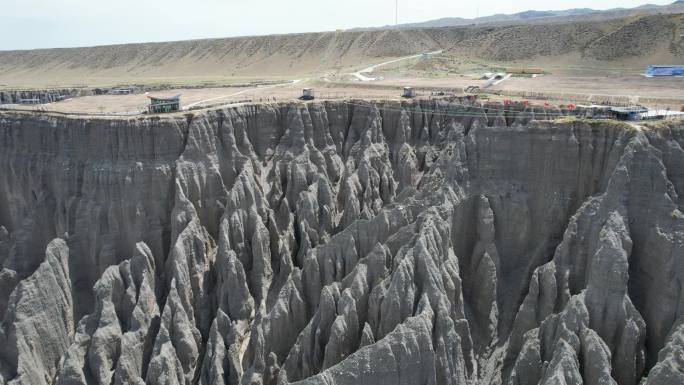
[{"x": 334, "y": 243}]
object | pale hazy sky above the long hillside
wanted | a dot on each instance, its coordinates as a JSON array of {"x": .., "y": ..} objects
[{"x": 28, "y": 24}]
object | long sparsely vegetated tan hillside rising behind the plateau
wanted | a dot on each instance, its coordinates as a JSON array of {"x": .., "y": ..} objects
[{"x": 634, "y": 40}]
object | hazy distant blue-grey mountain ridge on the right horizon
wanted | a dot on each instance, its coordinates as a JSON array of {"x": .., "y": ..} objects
[{"x": 532, "y": 16}]
